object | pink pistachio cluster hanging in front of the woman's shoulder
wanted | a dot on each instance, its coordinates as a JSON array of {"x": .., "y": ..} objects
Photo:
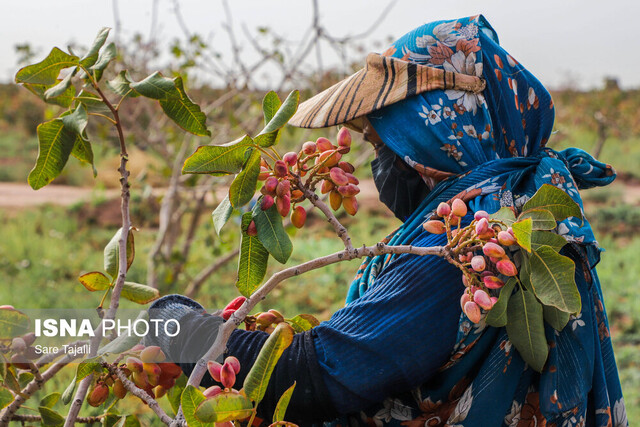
[{"x": 480, "y": 250}]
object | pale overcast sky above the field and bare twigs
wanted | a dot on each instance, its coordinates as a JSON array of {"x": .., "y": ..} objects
[{"x": 576, "y": 42}]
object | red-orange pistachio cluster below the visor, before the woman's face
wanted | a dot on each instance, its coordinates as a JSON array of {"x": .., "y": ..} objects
[{"x": 317, "y": 162}]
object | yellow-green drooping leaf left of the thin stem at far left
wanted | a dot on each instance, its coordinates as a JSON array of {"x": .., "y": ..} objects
[{"x": 55, "y": 143}]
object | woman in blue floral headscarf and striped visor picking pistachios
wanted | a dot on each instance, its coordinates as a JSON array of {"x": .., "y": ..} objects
[{"x": 401, "y": 352}]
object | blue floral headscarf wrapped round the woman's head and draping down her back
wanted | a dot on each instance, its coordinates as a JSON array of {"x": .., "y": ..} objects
[{"x": 492, "y": 148}]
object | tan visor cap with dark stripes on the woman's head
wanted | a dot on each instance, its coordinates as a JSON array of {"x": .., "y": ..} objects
[{"x": 383, "y": 81}]
